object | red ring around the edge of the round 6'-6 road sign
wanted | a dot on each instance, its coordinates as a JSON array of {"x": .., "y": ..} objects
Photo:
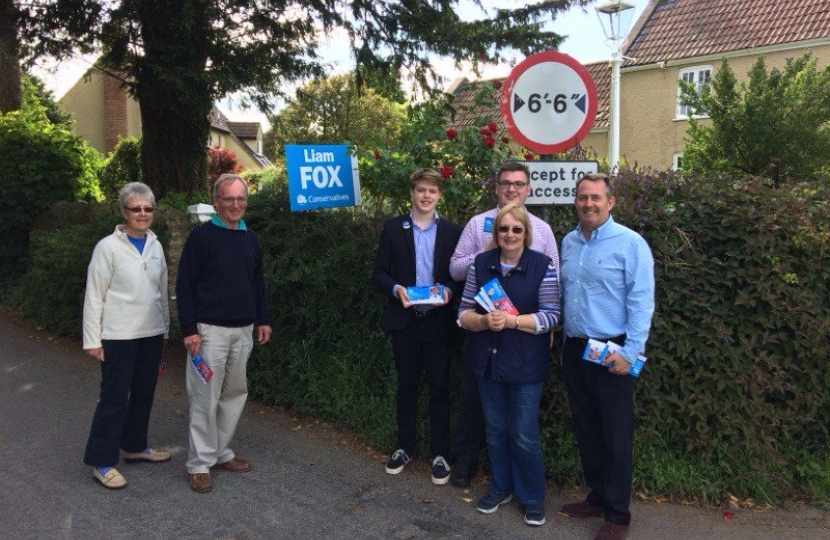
[{"x": 507, "y": 96}]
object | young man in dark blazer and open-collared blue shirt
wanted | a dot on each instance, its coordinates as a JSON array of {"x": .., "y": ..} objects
[{"x": 415, "y": 250}]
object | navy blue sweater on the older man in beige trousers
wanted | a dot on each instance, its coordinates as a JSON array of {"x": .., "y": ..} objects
[{"x": 220, "y": 280}]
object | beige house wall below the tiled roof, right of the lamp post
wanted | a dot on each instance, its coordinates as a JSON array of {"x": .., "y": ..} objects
[{"x": 650, "y": 133}]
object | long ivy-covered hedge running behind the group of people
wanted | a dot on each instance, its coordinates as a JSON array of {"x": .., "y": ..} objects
[{"x": 734, "y": 396}]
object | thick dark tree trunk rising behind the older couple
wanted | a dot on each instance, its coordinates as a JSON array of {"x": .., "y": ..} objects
[{"x": 174, "y": 95}]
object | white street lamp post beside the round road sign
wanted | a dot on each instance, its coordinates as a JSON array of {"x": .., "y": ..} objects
[{"x": 615, "y": 16}]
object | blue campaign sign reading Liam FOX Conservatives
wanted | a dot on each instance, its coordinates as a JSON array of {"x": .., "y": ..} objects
[{"x": 321, "y": 176}]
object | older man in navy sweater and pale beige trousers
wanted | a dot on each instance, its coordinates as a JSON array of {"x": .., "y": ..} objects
[{"x": 221, "y": 300}]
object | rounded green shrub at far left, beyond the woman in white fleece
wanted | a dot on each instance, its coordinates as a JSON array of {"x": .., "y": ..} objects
[{"x": 47, "y": 164}]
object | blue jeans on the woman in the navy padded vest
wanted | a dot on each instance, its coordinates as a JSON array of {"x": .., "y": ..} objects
[{"x": 511, "y": 416}]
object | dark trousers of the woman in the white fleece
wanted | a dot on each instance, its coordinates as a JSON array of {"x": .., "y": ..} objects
[{"x": 129, "y": 374}]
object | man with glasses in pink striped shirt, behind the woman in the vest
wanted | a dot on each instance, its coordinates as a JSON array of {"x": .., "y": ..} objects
[{"x": 513, "y": 185}]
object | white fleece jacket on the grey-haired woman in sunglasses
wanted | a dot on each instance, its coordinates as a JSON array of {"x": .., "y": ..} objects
[{"x": 126, "y": 291}]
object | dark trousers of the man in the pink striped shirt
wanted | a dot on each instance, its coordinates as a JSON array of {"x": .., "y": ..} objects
[{"x": 469, "y": 426}]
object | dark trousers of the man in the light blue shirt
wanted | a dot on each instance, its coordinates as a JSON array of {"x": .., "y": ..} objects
[{"x": 602, "y": 405}]
